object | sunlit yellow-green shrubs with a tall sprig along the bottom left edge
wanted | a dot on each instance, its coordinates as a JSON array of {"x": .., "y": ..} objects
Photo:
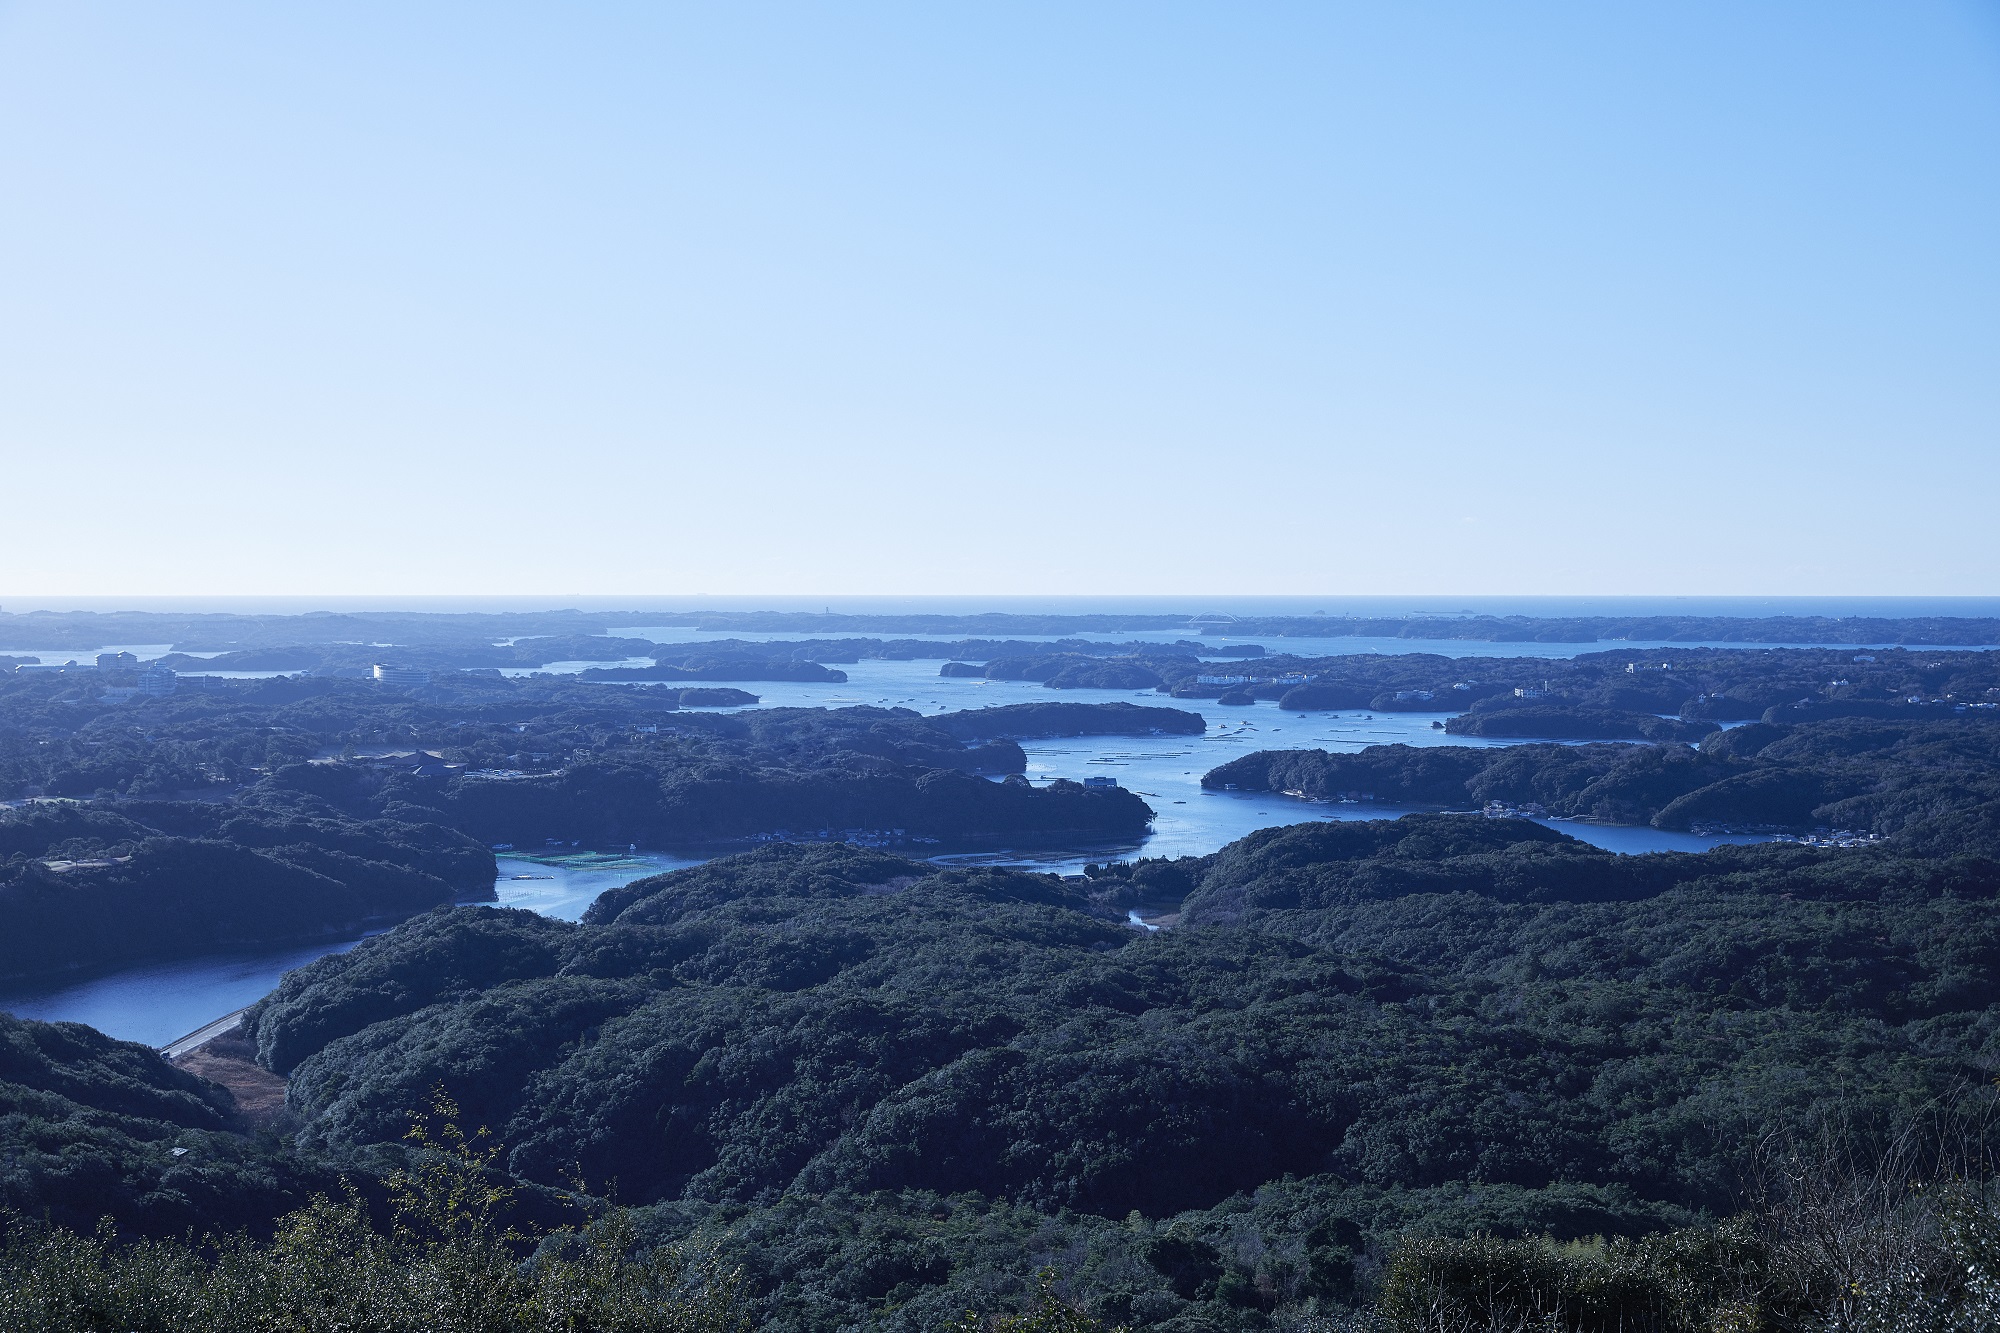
[{"x": 445, "y": 1266}]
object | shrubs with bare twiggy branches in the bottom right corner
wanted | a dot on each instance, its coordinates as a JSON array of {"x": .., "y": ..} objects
[{"x": 1845, "y": 1236}]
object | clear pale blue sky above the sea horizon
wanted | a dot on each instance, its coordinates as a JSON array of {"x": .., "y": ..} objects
[{"x": 999, "y": 299}]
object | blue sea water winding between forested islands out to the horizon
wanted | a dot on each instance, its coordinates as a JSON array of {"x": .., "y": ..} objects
[{"x": 157, "y": 1004}]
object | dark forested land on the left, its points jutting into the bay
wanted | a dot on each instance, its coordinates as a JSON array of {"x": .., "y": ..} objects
[{"x": 311, "y": 808}]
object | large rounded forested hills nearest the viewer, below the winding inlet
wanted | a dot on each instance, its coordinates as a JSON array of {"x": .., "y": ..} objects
[{"x": 907, "y": 1088}]
